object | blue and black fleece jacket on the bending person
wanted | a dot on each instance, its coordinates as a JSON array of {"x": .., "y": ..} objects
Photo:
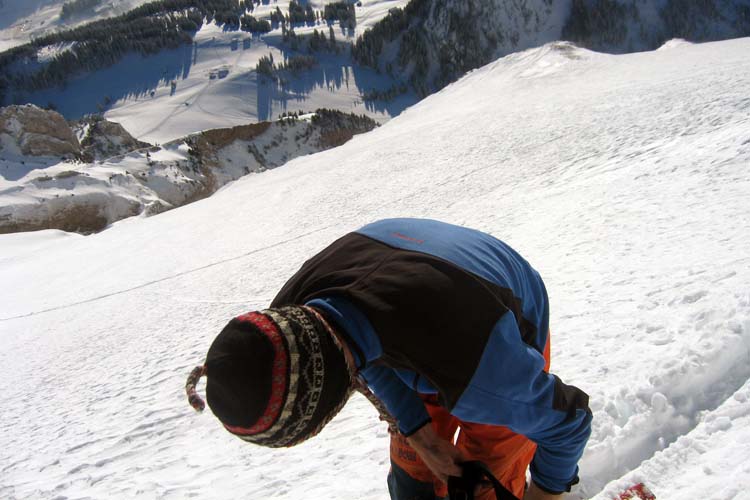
[{"x": 428, "y": 307}]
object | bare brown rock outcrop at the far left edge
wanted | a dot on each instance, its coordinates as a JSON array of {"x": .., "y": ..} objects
[{"x": 37, "y": 132}]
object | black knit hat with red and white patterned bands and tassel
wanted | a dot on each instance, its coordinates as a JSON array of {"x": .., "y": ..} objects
[{"x": 275, "y": 377}]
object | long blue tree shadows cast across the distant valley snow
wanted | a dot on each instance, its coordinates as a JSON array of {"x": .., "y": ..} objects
[{"x": 137, "y": 78}]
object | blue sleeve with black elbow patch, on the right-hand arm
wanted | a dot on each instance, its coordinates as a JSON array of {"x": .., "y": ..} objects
[{"x": 511, "y": 388}]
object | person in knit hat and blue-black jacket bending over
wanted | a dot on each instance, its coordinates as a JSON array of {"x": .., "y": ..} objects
[{"x": 447, "y": 326}]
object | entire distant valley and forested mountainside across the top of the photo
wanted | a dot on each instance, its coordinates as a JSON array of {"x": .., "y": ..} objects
[{"x": 169, "y": 69}]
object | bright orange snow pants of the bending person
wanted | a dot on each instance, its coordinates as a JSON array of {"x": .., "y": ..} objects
[{"x": 506, "y": 453}]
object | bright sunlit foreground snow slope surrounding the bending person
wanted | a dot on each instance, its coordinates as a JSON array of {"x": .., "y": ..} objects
[{"x": 623, "y": 179}]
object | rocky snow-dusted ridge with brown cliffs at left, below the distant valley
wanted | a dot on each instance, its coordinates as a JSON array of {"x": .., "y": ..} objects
[{"x": 48, "y": 180}]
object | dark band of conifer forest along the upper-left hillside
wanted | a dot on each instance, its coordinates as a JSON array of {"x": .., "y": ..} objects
[{"x": 148, "y": 29}]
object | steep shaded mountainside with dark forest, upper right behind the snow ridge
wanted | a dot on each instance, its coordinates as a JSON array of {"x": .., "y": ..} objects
[{"x": 433, "y": 42}]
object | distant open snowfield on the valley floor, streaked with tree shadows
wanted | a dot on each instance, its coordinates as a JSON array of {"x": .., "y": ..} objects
[{"x": 216, "y": 84}]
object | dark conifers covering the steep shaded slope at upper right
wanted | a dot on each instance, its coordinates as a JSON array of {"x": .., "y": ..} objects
[{"x": 430, "y": 63}]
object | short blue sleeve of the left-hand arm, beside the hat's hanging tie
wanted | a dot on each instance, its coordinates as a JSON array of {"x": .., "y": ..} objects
[{"x": 402, "y": 402}]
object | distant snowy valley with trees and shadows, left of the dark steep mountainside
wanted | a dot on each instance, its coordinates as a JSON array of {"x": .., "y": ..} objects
[{"x": 162, "y": 84}]
